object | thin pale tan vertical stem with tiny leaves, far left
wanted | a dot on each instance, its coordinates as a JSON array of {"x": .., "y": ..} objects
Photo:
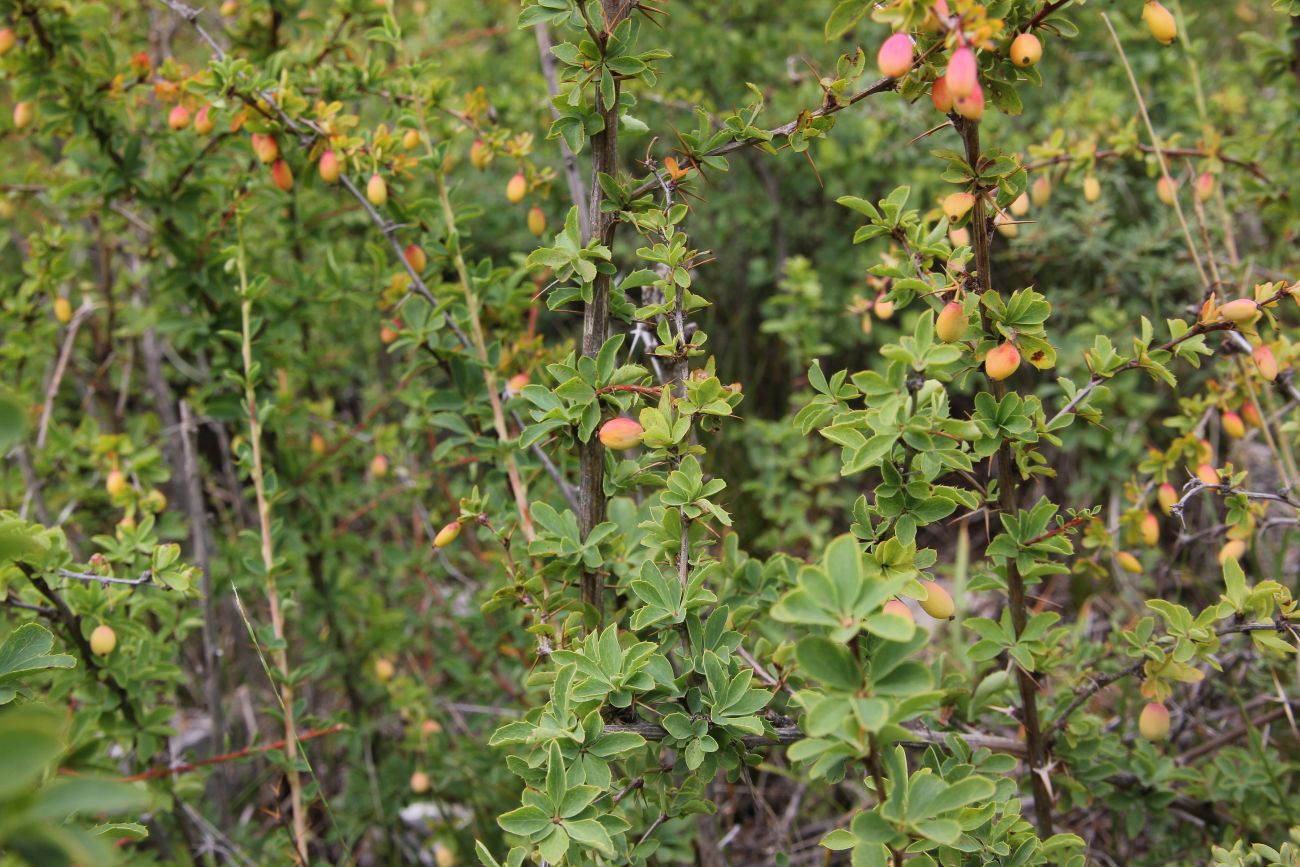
[{"x": 268, "y": 562}]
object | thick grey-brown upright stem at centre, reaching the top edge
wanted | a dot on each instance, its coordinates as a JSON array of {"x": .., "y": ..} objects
[{"x": 596, "y": 317}]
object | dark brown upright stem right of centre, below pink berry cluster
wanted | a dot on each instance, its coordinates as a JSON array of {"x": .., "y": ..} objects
[{"x": 1007, "y": 501}]
